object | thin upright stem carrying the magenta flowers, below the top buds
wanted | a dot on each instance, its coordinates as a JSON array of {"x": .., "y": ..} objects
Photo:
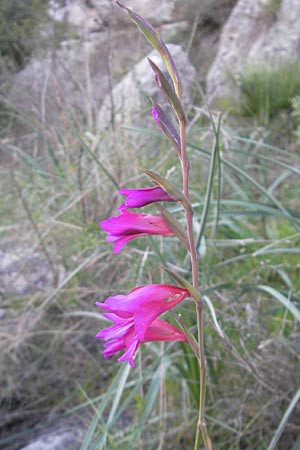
[{"x": 201, "y": 424}]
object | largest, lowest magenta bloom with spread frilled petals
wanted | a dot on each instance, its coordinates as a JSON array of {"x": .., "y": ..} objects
[{"x": 135, "y": 319}]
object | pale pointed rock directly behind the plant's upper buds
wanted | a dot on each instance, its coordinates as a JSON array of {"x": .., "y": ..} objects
[{"x": 131, "y": 95}]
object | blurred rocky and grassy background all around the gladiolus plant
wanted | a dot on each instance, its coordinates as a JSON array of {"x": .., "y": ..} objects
[{"x": 76, "y": 127}]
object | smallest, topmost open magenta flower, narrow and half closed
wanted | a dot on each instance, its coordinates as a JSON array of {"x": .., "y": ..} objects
[{"x": 135, "y": 198}]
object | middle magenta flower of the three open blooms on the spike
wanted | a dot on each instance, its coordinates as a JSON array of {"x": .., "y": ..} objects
[{"x": 127, "y": 226}]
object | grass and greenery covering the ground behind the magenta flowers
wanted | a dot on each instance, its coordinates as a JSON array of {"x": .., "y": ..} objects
[{"x": 57, "y": 183}]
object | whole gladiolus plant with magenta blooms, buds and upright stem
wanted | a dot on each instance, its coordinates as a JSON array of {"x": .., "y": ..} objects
[{"x": 134, "y": 316}]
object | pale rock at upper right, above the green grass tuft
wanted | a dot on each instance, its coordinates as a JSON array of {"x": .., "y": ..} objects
[{"x": 256, "y": 32}]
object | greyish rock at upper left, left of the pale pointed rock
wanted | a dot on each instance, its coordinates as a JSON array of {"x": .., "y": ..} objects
[{"x": 72, "y": 78}]
